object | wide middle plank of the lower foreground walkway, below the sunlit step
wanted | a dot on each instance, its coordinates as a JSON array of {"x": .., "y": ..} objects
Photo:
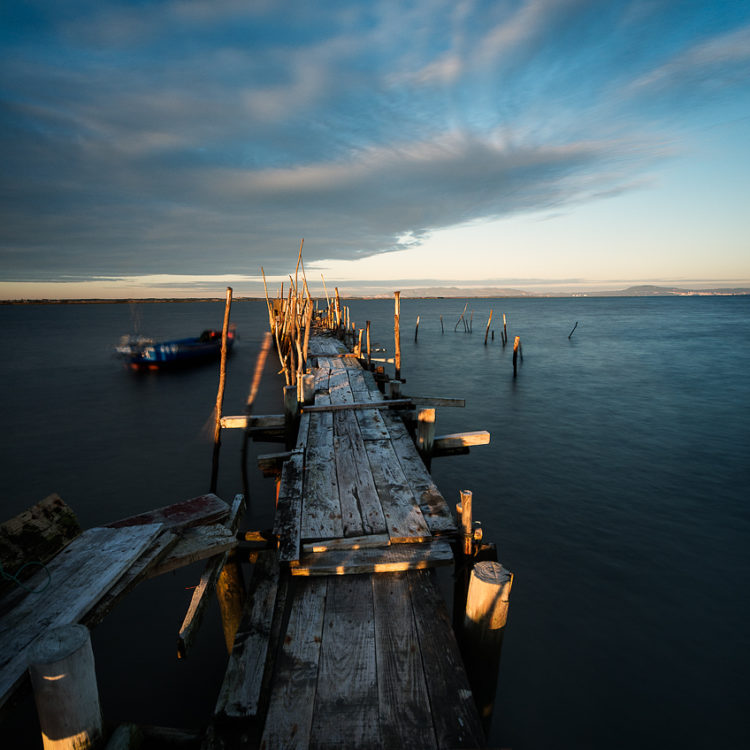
[{"x": 346, "y": 702}]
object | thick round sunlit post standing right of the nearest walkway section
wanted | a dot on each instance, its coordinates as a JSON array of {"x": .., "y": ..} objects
[{"x": 484, "y": 626}]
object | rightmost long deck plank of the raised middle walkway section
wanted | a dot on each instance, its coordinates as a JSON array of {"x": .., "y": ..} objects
[{"x": 431, "y": 502}]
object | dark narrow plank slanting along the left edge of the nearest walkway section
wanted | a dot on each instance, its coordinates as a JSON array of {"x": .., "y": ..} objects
[{"x": 240, "y": 693}]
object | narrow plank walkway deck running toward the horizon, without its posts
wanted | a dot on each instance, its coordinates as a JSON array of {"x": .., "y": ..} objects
[{"x": 345, "y": 640}]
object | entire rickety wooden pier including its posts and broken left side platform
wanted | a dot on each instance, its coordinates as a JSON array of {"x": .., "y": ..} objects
[{"x": 342, "y": 638}]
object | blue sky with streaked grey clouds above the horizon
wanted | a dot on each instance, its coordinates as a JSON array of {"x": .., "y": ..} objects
[{"x": 174, "y": 148}]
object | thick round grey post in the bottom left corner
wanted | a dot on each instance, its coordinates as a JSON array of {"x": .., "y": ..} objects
[{"x": 64, "y": 682}]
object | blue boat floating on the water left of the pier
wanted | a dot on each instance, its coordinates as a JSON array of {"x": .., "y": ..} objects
[{"x": 141, "y": 353}]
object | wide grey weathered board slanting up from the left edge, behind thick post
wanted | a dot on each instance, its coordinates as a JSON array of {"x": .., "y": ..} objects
[{"x": 85, "y": 570}]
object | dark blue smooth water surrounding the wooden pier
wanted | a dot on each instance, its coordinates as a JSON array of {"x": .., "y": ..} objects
[{"x": 616, "y": 487}]
